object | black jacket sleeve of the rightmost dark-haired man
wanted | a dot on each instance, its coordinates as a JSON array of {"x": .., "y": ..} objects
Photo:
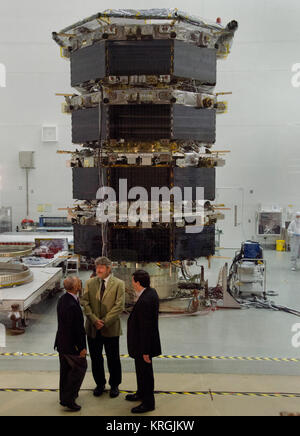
[{"x": 146, "y": 316}]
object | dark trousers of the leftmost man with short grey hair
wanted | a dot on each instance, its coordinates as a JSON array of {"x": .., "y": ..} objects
[{"x": 72, "y": 373}]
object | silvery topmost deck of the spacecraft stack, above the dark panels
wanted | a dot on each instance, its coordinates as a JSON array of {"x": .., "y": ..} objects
[{"x": 129, "y": 24}]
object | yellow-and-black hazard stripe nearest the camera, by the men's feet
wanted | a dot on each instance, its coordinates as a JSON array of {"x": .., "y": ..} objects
[{"x": 180, "y": 393}]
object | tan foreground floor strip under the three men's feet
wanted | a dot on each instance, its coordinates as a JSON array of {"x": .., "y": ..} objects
[{"x": 214, "y": 395}]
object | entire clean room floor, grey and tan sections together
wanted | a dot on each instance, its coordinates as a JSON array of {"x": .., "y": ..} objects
[{"x": 230, "y": 333}]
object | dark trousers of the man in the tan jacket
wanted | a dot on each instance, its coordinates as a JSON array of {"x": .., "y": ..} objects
[{"x": 112, "y": 351}]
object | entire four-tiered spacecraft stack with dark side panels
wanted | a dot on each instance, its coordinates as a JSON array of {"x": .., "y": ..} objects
[{"x": 145, "y": 113}]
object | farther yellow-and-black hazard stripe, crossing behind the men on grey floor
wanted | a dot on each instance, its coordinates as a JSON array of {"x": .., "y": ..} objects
[{"x": 179, "y": 357}]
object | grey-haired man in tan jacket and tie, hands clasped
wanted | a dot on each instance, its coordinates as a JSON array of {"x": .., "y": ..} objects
[{"x": 103, "y": 303}]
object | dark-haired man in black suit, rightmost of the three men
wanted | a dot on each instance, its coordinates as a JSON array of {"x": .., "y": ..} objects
[{"x": 144, "y": 340}]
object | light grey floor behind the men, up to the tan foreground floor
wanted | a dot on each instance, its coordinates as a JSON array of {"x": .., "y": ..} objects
[{"x": 255, "y": 333}]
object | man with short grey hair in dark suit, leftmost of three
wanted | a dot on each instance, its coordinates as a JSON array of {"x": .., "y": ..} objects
[{"x": 71, "y": 344}]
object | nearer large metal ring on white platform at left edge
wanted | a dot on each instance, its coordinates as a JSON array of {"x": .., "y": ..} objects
[{"x": 14, "y": 275}]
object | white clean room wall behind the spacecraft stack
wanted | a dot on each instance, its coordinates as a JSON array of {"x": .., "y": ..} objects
[{"x": 261, "y": 129}]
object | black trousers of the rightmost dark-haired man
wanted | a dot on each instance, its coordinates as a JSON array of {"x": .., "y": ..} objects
[{"x": 145, "y": 382}]
